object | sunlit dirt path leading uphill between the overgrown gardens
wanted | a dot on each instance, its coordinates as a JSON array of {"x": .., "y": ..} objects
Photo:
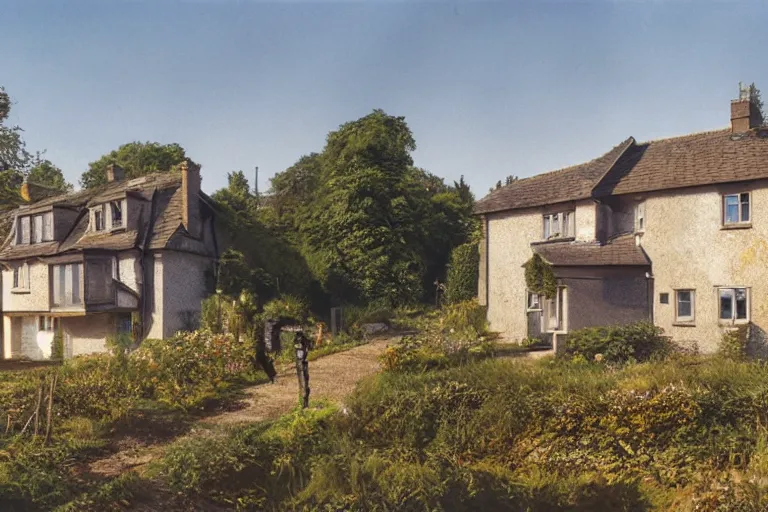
[{"x": 332, "y": 377}]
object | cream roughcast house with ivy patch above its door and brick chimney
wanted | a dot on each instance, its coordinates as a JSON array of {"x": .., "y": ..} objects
[{"x": 674, "y": 231}]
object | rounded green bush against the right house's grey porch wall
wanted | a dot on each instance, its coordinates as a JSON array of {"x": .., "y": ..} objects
[{"x": 619, "y": 344}]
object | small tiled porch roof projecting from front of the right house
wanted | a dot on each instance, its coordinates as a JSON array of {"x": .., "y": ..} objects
[{"x": 621, "y": 250}]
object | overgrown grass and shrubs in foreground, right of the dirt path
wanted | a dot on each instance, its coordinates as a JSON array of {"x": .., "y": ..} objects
[{"x": 683, "y": 434}]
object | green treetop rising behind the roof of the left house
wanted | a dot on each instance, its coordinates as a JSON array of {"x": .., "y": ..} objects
[{"x": 136, "y": 159}]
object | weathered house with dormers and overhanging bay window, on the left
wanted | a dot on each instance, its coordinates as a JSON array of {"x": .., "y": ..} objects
[{"x": 132, "y": 256}]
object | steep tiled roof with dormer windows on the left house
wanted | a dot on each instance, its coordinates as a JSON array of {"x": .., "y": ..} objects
[{"x": 167, "y": 217}]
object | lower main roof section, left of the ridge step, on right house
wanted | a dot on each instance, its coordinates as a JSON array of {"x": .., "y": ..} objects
[{"x": 569, "y": 184}]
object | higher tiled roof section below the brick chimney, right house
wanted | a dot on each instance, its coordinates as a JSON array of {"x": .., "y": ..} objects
[{"x": 691, "y": 160}]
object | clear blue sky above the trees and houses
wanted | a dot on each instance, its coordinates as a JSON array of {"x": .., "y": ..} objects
[{"x": 488, "y": 89}]
